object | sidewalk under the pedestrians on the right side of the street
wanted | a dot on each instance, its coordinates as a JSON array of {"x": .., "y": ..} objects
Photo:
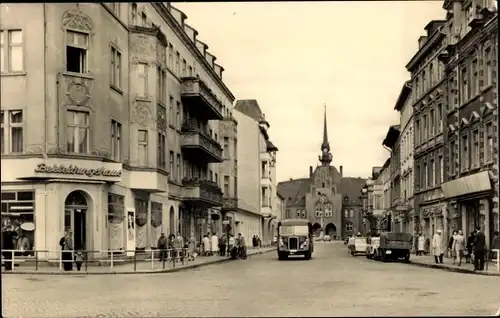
[{"x": 428, "y": 261}]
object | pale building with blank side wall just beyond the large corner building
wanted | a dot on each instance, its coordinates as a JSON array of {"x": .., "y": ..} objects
[{"x": 256, "y": 173}]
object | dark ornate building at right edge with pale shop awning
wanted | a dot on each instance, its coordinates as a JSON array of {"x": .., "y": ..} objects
[{"x": 471, "y": 74}]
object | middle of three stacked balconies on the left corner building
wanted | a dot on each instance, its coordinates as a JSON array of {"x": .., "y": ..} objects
[{"x": 196, "y": 143}]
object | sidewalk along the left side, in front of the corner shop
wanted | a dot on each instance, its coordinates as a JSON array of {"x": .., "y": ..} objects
[{"x": 141, "y": 267}]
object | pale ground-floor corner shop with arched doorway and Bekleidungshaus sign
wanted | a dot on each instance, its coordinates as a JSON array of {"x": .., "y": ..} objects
[{"x": 96, "y": 200}]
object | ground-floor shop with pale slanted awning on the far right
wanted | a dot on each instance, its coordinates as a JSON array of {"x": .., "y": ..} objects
[{"x": 470, "y": 200}]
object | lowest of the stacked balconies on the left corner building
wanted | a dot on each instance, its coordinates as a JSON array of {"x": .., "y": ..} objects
[{"x": 203, "y": 193}]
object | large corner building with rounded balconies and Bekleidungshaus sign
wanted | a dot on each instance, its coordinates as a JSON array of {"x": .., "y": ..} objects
[{"x": 117, "y": 137}]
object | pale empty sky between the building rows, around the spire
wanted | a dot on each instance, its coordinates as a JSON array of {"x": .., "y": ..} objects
[{"x": 295, "y": 57}]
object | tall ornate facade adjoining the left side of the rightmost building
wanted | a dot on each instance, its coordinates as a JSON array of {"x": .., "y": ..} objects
[{"x": 428, "y": 108}]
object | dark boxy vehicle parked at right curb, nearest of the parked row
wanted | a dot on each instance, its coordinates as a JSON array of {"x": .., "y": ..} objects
[{"x": 394, "y": 246}]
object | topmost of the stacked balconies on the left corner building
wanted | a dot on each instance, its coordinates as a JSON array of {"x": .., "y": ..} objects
[{"x": 198, "y": 97}]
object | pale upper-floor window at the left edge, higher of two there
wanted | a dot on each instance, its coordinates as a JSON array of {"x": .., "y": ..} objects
[{"x": 11, "y": 51}]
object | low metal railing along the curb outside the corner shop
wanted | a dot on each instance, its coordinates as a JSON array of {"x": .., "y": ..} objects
[{"x": 158, "y": 258}]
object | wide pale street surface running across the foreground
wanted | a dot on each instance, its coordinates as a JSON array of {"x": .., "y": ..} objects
[{"x": 332, "y": 283}]
